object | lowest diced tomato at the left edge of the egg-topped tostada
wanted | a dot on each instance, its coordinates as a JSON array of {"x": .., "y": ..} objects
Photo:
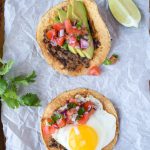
[{"x": 48, "y": 130}]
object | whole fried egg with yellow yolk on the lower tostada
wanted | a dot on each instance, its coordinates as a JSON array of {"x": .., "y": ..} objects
[{"x": 98, "y": 132}]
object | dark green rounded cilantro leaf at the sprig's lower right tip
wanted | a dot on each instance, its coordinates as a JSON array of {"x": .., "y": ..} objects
[{"x": 30, "y": 99}]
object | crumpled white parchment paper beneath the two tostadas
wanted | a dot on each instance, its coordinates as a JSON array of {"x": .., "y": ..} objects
[{"x": 125, "y": 83}]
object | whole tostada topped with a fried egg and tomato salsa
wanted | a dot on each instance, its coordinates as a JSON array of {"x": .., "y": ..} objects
[{"x": 80, "y": 119}]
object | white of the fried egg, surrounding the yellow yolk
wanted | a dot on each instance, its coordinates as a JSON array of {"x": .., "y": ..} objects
[{"x": 101, "y": 121}]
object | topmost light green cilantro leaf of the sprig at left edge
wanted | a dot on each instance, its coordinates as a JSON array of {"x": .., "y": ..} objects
[{"x": 6, "y": 67}]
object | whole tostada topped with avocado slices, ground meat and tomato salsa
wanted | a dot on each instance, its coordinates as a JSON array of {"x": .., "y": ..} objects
[{"x": 73, "y": 37}]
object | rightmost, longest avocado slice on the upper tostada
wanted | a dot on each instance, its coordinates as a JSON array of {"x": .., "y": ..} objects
[{"x": 79, "y": 12}]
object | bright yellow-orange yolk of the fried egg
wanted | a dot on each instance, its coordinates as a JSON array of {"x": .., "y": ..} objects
[{"x": 83, "y": 137}]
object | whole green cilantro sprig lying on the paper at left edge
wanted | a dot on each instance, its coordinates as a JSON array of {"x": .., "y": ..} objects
[{"x": 9, "y": 88}]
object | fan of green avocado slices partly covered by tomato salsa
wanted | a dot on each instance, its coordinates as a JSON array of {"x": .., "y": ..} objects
[{"x": 77, "y": 11}]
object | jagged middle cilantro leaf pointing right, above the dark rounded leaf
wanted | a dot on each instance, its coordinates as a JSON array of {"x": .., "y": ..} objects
[{"x": 25, "y": 79}]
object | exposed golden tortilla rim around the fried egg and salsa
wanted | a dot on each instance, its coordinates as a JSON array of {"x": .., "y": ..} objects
[{"x": 61, "y": 100}]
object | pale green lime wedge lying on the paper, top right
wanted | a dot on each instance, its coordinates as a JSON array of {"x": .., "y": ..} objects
[{"x": 125, "y": 12}]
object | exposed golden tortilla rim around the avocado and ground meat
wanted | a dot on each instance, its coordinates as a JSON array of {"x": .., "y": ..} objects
[{"x": 101, "y": 33}]
